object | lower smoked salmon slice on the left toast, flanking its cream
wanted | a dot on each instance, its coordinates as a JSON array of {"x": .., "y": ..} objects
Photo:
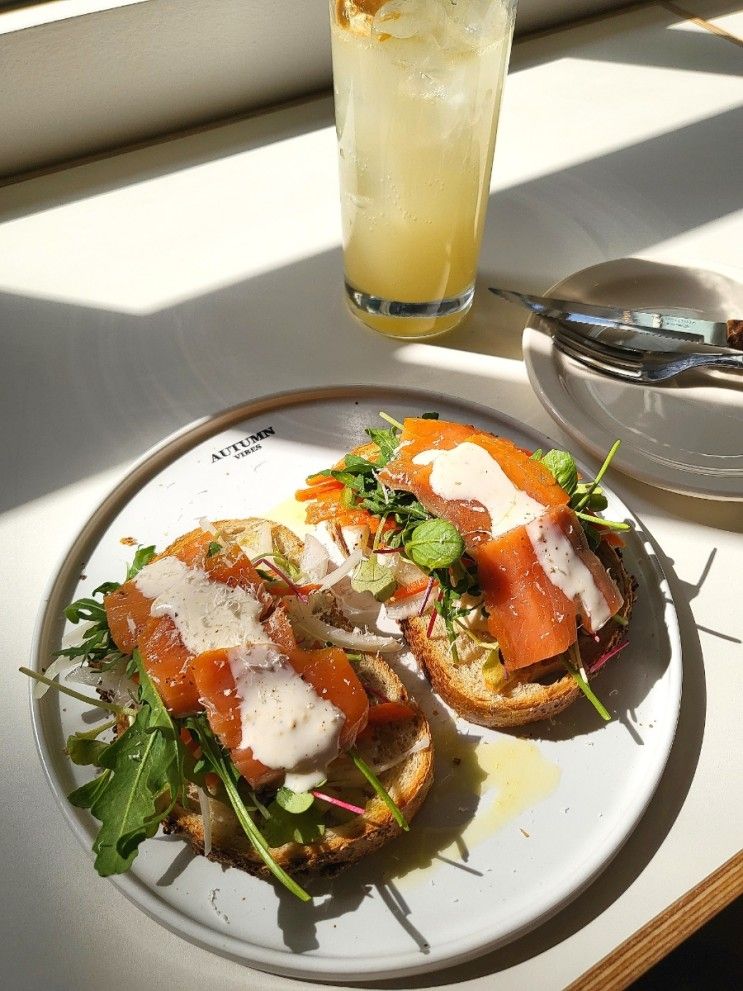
[{"x": 327, "y": 670}]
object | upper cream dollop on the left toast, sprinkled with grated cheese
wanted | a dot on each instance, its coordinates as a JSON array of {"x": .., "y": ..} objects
[{"x": 207, "y": 614}]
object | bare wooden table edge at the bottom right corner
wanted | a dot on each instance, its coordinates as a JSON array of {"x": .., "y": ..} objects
[{"x": 662, "y": 934}]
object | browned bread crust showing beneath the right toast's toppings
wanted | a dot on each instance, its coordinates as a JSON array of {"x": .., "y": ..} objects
[{"x": 530, "y": 694}]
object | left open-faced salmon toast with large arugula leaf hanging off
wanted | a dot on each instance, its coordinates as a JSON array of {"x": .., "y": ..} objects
[{"x": 266, "y": 746}]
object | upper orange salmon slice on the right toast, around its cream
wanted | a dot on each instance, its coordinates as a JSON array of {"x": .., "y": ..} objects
[{"x": 468, "y": 516}]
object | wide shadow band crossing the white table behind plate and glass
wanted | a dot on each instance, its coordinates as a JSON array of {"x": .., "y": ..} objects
[{"x": 118, "y": 382}]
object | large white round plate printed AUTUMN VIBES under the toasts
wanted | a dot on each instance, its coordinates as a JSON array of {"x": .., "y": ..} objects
[{"x": 556, "y": 802}]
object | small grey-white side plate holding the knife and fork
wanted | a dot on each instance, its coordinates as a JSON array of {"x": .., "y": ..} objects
[{"x": 686, "y": 435}]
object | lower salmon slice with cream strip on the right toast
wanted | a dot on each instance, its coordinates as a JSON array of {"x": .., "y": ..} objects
[{"x": 529, "y": 614}]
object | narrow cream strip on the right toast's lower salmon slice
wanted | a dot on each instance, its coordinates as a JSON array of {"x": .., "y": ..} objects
[{"x": 564, "y": 568}]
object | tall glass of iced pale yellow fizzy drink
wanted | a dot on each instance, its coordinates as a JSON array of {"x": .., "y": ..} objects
[{"x": 417, "y": 93}]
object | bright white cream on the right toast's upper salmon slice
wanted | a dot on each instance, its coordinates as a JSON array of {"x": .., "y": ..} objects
[{"x": 467, "y": 472}]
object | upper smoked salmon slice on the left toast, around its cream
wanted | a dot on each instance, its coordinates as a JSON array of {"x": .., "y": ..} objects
[{"x": 166, "y": 658}]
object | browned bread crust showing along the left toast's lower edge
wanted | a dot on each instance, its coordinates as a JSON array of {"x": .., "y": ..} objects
[{"x": 405, "y": 745}]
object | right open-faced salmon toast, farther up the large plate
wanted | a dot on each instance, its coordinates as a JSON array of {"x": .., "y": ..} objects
[{"x": 509, "y": 588}]
